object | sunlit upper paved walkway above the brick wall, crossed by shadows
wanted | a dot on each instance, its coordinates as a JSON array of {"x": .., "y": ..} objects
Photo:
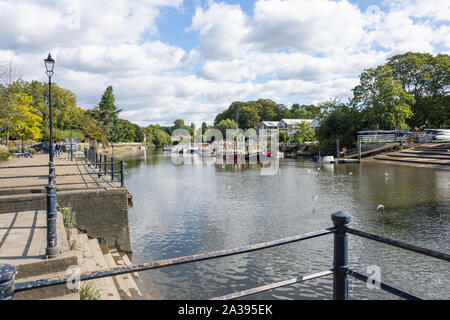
[{"x": 81, "y": 175}]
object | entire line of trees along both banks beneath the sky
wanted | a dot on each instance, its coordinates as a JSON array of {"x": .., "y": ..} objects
[{"x": 409, "y": 91}]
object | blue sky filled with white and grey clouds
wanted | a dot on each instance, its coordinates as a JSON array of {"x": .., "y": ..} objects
[{"x": 170, "y": 59}]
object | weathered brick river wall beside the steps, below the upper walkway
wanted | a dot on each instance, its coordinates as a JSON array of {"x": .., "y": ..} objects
[{"x": 103, "y": 214}]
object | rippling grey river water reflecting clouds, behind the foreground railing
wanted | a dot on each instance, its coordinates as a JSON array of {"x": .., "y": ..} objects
[{"x": 187, "y": 209}]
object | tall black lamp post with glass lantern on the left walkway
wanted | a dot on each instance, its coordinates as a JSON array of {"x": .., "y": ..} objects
[{"x": 52, "y": 249}]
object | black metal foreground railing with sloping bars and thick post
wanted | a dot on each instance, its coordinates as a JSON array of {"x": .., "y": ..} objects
[{"x": 340, "y": 267}]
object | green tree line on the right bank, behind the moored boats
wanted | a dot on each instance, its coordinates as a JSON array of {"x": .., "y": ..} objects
[{"x": 409, "y": 91}]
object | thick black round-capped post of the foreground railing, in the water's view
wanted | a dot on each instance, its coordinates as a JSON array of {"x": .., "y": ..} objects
[{"x": 340, "y": 259}]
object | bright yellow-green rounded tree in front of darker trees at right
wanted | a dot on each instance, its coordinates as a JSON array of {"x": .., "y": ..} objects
[{"x": 382, "y": 99}]
